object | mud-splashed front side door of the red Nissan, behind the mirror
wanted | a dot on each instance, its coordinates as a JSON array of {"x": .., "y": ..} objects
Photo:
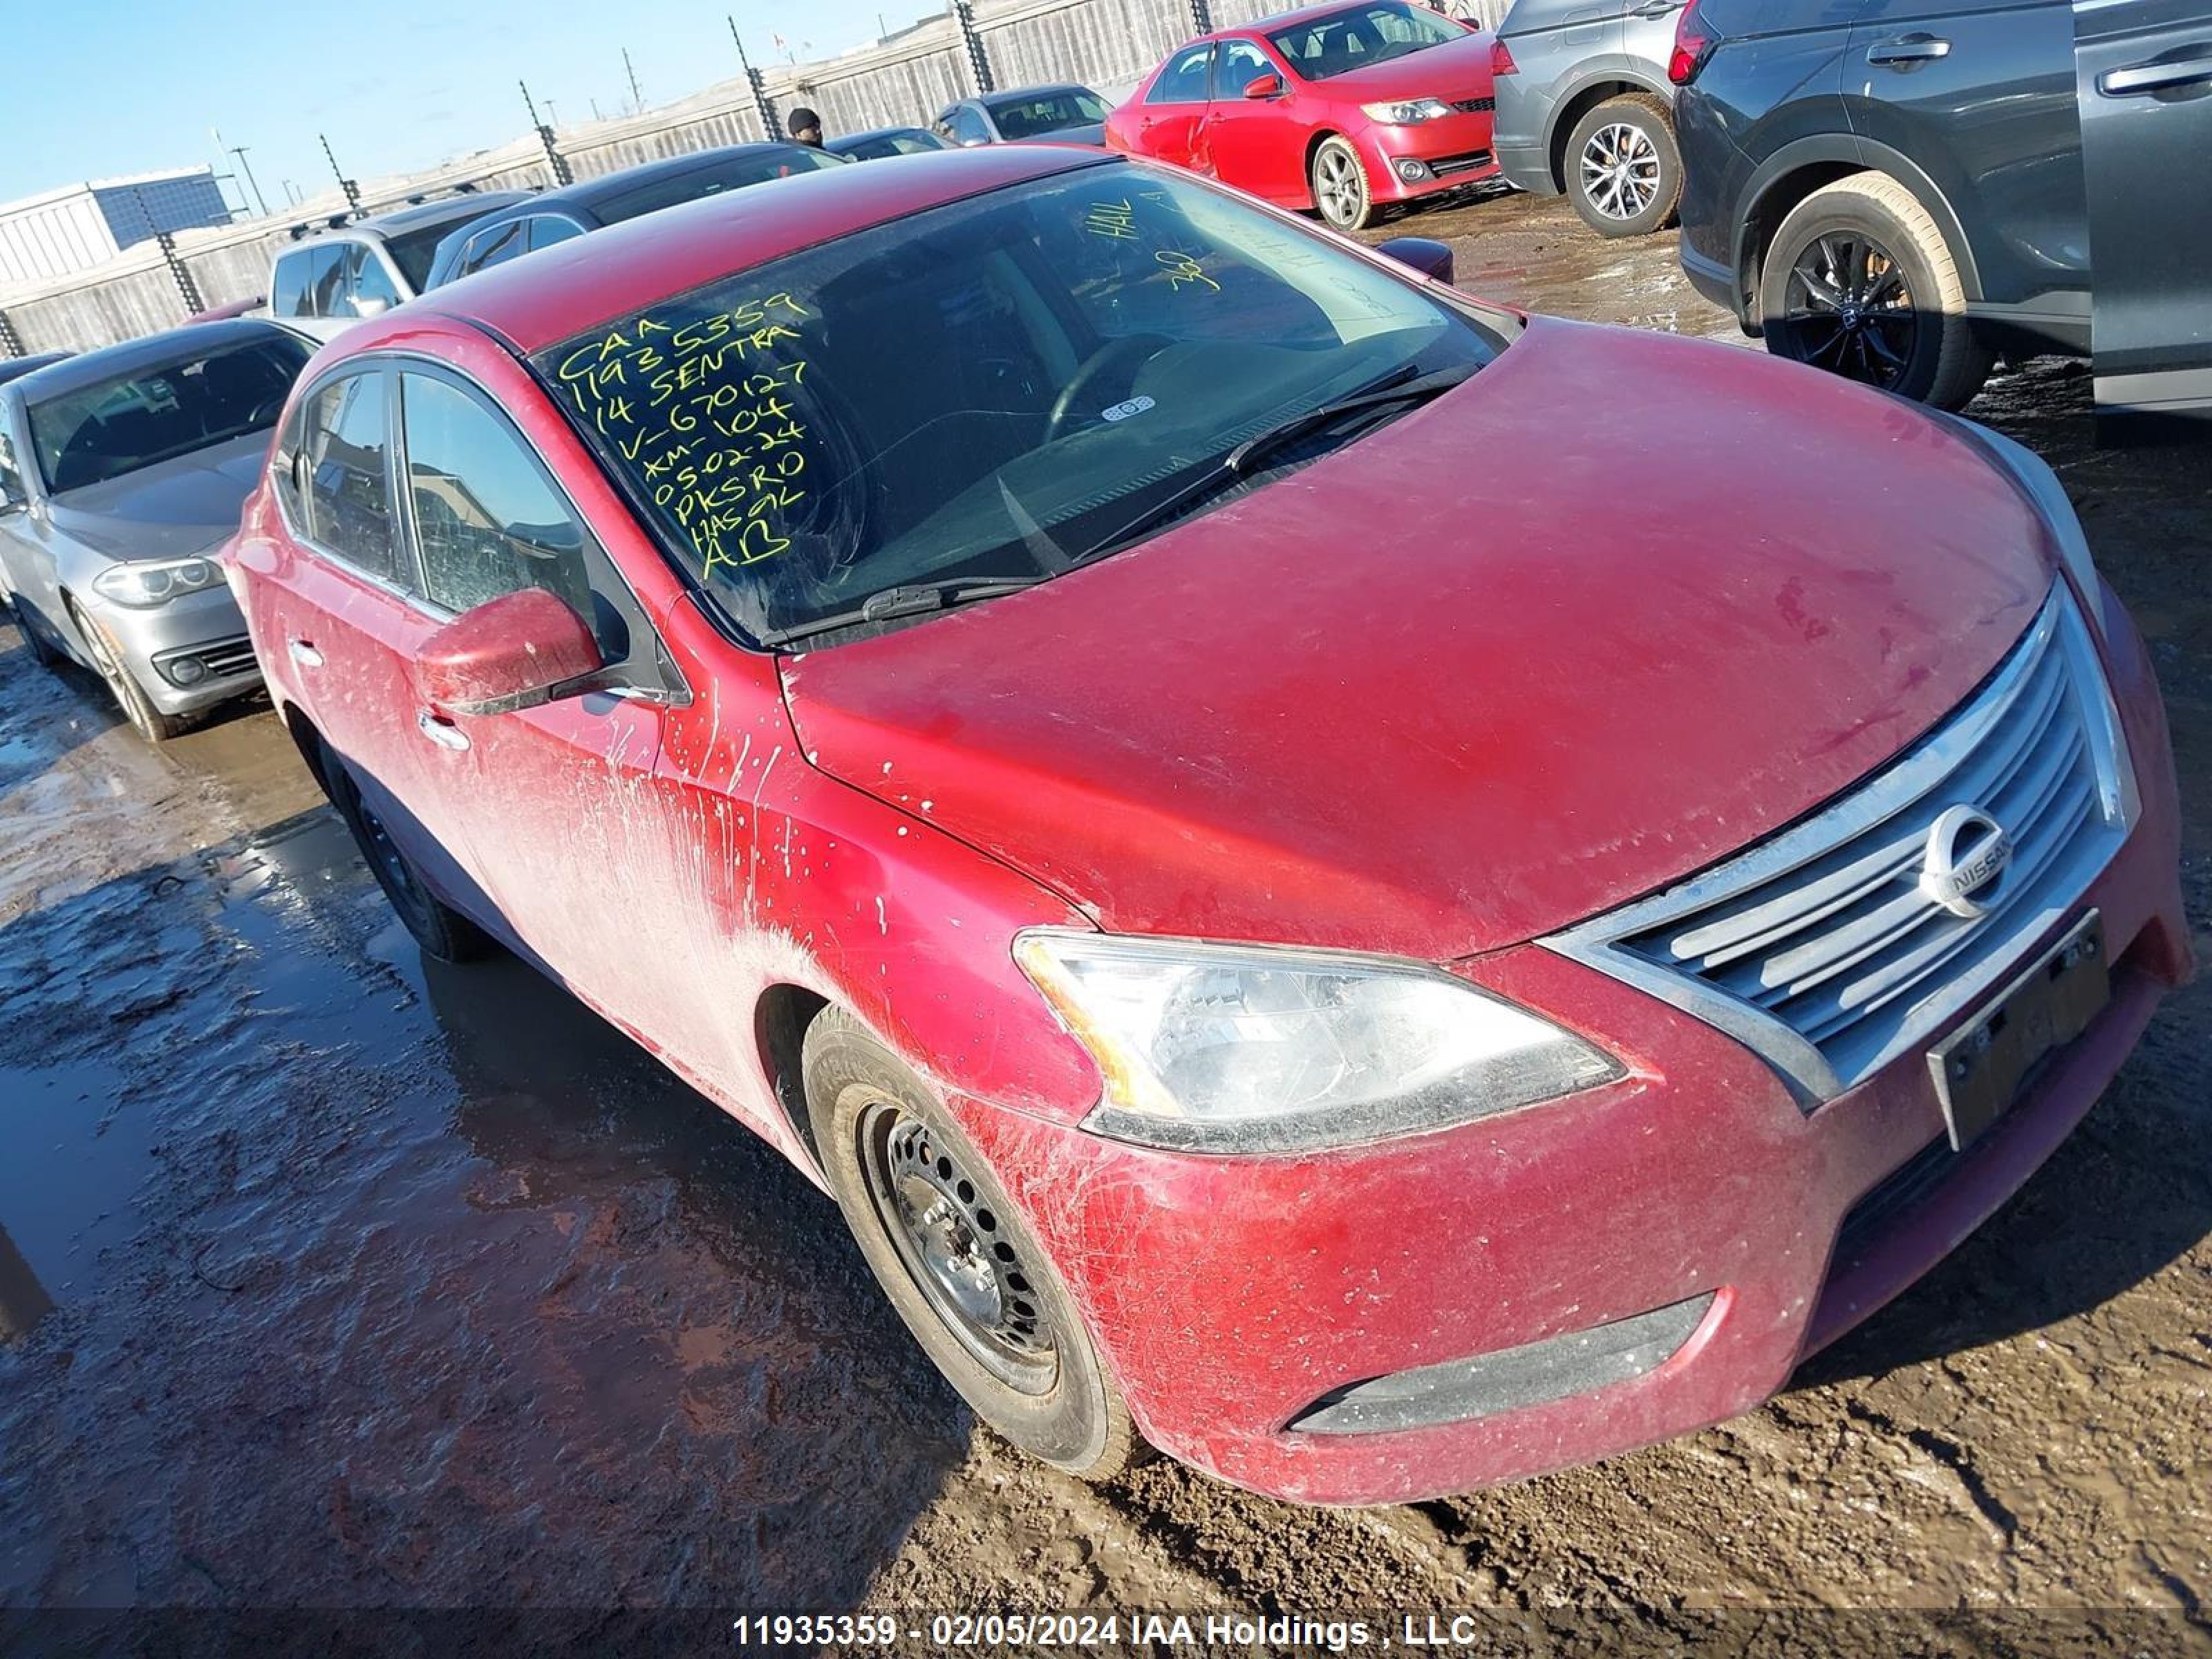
[{"x": 559, "y": 806}]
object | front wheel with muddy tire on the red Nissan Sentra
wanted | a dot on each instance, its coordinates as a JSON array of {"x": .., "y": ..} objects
[{"x": 915, "y": 1191}]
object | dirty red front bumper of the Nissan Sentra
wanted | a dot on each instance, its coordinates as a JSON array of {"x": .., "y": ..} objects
[{"x": 1231, "y": 1295}]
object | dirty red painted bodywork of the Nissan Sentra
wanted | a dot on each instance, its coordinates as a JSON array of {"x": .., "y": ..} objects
[{"x": 1390, "y": 707}]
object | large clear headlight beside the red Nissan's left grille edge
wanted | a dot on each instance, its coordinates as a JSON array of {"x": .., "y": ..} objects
[{"x": 1240, "y": 1050}]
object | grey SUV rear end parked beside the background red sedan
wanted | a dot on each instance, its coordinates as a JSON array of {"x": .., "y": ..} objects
[{"x": 1585, "y": 107}]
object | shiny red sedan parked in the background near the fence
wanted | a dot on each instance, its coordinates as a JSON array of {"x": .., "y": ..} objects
[{"x": 1337, "y": 109}]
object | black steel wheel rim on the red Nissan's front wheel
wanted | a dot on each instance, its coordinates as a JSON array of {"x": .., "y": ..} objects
[{"x": 957, "y": 1251}]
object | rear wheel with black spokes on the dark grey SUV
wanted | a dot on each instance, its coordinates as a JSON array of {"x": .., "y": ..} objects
[{"x": 1861, "y": 282}]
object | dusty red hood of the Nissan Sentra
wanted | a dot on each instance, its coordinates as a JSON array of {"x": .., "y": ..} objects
[{"x": 1603, "y": 616}]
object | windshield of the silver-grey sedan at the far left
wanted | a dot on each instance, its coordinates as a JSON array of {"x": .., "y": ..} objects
[{"x": 114, "y": 428}]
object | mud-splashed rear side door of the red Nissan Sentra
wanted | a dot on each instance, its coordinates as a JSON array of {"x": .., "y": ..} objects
[{"x": 342, "y": 603}]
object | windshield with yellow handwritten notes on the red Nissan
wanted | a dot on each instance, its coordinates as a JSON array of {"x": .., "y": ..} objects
[{"x": 990, "y": 388}]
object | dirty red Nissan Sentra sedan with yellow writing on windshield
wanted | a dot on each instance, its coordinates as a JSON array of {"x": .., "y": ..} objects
[{"x": 1317, "y": 895}]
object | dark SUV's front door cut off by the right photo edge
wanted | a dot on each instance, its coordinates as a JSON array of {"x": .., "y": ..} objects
[{"x": 2145, "y": 90}]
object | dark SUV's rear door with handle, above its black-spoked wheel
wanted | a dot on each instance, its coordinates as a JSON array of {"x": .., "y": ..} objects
[{"x": 1981, "y": 96}]
